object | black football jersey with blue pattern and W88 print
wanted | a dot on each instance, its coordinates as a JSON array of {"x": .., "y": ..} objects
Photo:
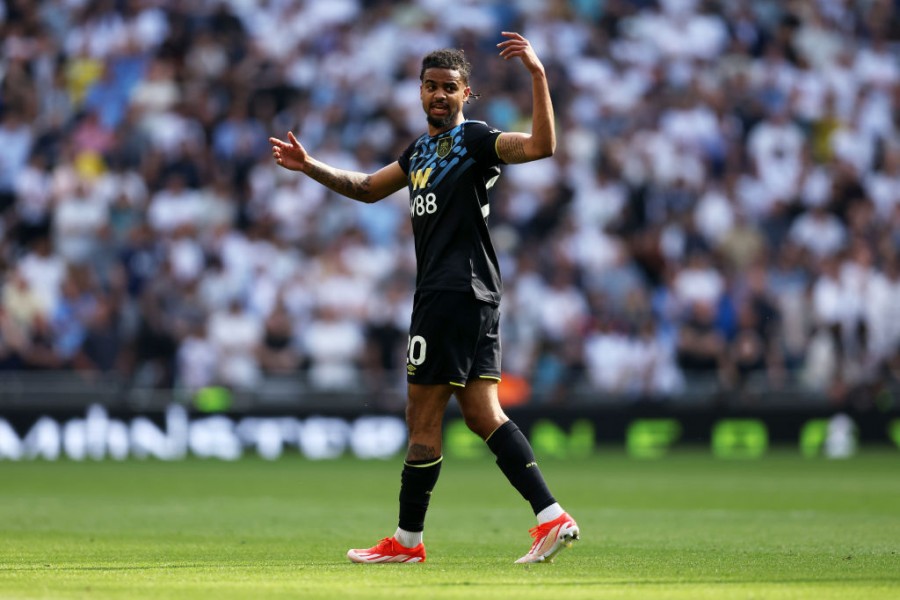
[{"x": 449, "y": 177}]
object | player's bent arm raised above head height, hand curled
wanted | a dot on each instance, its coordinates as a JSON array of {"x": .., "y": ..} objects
[{"x": 541, "y": 142}]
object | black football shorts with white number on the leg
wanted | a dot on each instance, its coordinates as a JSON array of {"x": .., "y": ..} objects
[{"x": 453, "y": 338}]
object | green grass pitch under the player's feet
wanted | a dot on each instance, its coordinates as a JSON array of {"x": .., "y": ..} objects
[{"x": 686, "y": 526}]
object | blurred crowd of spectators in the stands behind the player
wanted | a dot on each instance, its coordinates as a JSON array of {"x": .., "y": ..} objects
[{"x": 722, "y": 213}]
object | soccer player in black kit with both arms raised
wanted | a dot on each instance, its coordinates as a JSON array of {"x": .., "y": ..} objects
[{"x": 454, "y": 342}]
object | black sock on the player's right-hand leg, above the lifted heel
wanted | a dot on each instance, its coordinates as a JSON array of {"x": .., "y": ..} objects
[{"x": 516, "y": 459}]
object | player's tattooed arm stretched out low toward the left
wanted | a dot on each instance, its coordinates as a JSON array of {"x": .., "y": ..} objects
[{"x": 292, "y": 155}]
